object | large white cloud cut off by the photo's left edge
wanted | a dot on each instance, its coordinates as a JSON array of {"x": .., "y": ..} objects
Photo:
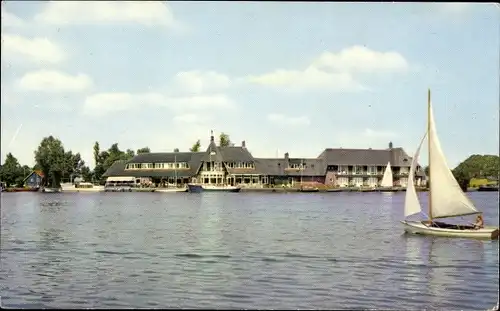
[{"x": 39, "y": 50}]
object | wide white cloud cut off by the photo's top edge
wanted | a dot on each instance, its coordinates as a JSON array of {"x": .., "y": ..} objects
[{"x": 147, "y": 13}]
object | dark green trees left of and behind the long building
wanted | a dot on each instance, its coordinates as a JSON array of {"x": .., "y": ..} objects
[{"x": 58, "y": 164}]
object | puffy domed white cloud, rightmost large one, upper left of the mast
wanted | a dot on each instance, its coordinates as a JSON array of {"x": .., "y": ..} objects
[{"x": 361, "y": 59}]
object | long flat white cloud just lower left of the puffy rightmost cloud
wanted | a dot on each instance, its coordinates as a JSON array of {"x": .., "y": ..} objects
[{"x": 311, "y": 78}]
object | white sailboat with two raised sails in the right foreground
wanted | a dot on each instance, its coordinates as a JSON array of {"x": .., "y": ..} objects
[{"x": 446, "y": 198}]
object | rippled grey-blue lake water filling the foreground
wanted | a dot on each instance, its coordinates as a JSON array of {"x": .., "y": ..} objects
[{"x": 236, "y": 250}]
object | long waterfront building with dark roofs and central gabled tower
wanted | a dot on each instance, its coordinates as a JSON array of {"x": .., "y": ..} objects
[{"x": 235, "y": 165}]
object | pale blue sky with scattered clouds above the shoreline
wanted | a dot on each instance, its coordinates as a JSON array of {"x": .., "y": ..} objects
[{"x": 291, "y": 77}]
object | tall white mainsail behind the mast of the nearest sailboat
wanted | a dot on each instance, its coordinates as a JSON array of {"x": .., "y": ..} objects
[{"x": 448, "y": 199}]
